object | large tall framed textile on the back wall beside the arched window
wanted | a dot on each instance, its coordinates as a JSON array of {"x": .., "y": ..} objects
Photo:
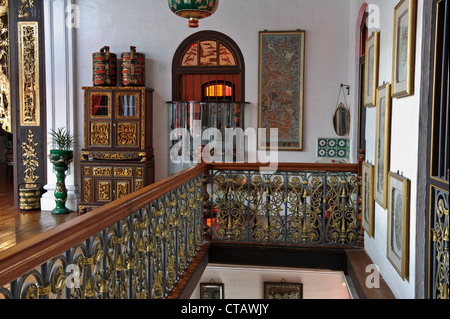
[{"x": 281, "y": 83}]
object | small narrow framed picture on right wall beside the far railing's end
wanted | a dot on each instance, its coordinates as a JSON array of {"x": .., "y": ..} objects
[{"x": 368, "y": 208}]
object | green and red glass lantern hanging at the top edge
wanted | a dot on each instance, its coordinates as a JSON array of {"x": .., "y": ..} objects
[{"x": 193, "y": 9}]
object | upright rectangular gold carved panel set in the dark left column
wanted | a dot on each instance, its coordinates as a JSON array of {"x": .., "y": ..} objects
[{"x": 29, "y": 73}]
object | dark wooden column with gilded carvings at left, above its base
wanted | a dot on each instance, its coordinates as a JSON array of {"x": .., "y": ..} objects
[{"x": 27, "y": 93}]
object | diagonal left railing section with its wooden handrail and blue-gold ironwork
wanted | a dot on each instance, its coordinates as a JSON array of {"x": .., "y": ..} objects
[{"x": 149, "y": 239}]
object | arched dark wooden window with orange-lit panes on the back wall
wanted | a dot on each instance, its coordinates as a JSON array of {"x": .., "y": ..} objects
[{"x": 208, "y": 66}]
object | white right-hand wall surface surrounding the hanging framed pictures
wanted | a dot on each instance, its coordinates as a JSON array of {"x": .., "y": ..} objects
[{"x": 404, "y": 143}]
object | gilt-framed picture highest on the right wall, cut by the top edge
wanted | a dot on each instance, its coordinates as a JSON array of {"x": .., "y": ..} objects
[{"x": 403, "y": 58}]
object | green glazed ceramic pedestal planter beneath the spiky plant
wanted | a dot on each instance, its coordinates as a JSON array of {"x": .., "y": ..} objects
[{"x": 61, "y": 160}]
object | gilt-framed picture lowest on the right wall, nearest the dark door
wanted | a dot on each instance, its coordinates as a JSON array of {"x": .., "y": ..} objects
[{"x": 398, "y": 223}]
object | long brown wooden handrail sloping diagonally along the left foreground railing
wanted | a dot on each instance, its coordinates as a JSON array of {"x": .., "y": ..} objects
[{"x": 31, "y": 253}]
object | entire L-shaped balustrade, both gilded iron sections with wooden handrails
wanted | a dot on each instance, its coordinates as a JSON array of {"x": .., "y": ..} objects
[{"x": 140, "y": 245}]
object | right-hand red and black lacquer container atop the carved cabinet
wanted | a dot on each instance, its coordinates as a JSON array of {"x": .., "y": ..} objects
[{"x": 133, "y": 68}]
